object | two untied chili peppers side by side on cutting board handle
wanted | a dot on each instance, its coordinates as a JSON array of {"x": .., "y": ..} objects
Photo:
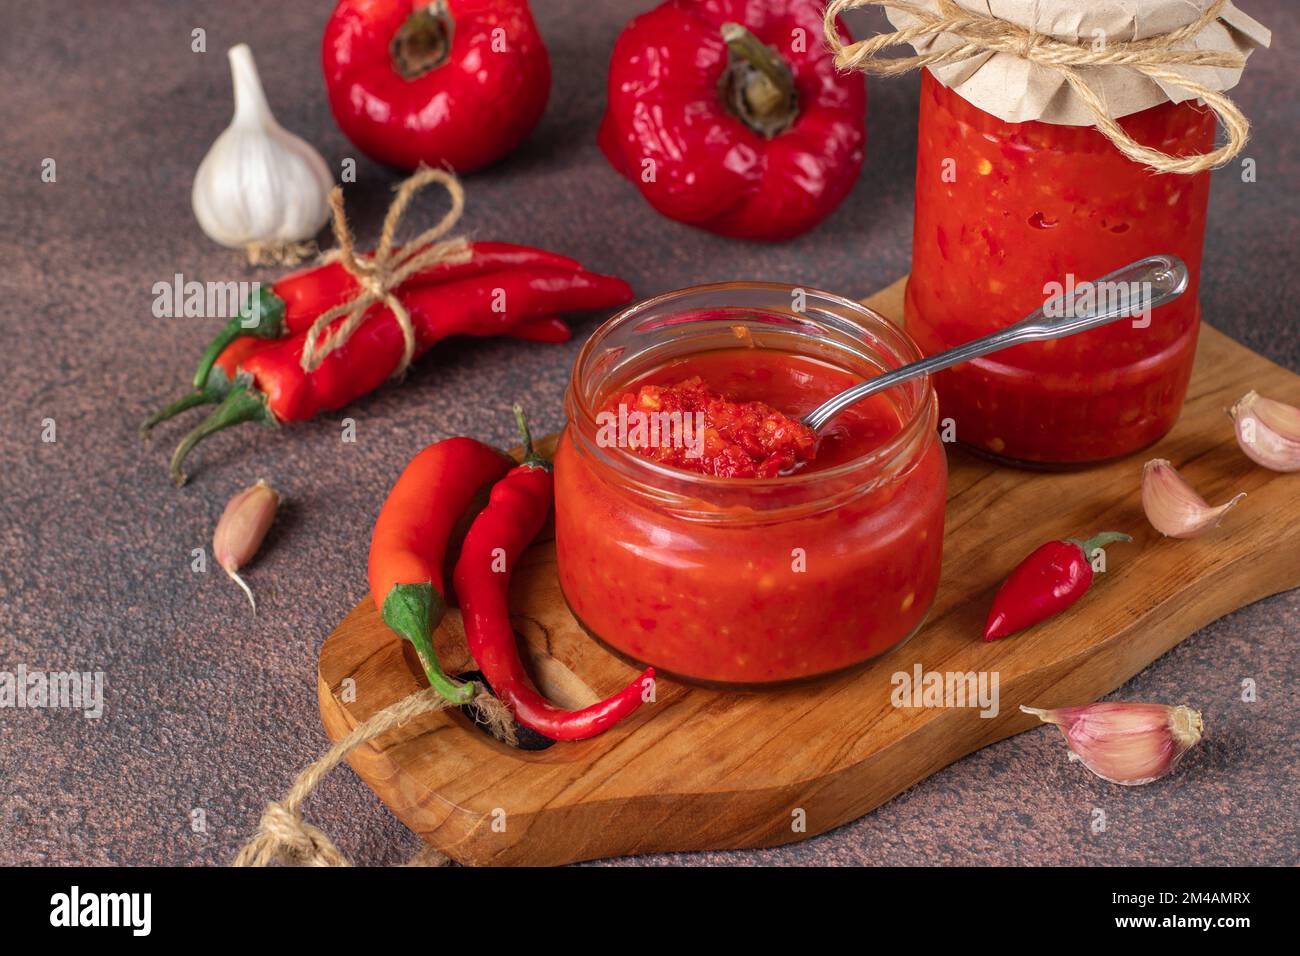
[{"x": 443, "y": 487}]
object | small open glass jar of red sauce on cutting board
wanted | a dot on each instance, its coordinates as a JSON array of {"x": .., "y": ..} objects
[{"x": 749, "y": 582}]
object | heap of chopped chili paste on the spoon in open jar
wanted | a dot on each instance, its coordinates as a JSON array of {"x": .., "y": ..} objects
[{"x": 691, "y": 427}]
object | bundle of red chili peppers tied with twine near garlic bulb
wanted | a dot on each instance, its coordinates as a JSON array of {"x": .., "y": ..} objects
[{"x": 255, "y": 370}]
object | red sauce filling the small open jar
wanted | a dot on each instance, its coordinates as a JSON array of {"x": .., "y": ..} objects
[{"x": 796, "y": 578}]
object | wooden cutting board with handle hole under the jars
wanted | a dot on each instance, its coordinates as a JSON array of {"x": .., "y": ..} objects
[{"x": 708, "y": 769}]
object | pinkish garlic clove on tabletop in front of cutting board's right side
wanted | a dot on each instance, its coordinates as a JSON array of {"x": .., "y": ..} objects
[{"x": 1126, "y": 743}]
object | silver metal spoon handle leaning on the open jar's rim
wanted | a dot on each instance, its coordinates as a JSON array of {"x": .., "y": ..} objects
[{"x": 1152, "y": 282}]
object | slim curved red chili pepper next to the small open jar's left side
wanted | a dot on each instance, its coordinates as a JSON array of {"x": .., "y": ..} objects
[{"x": 515, "y": 513}]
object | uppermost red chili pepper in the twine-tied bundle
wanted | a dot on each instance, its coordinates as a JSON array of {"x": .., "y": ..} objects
[{"x": 294, "y": 302}]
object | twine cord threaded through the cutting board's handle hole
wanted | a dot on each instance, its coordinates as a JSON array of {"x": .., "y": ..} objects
[{"x": 285, "y": 837}]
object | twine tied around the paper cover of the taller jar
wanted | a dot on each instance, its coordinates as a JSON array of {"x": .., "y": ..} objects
[{"x": 982, "y": 34}]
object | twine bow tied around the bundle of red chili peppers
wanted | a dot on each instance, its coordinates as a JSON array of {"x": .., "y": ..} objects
[{"x": 384, "y": 272}]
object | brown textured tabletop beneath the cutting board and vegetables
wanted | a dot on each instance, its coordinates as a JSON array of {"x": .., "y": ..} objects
[{"x": 210, "y": 710}]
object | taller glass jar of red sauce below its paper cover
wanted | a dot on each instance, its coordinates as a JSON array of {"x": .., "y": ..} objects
[{"x": 1006, "y": 209}]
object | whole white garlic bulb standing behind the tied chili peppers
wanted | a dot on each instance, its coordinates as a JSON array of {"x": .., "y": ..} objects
[{"x": 259, "y": 185}]
